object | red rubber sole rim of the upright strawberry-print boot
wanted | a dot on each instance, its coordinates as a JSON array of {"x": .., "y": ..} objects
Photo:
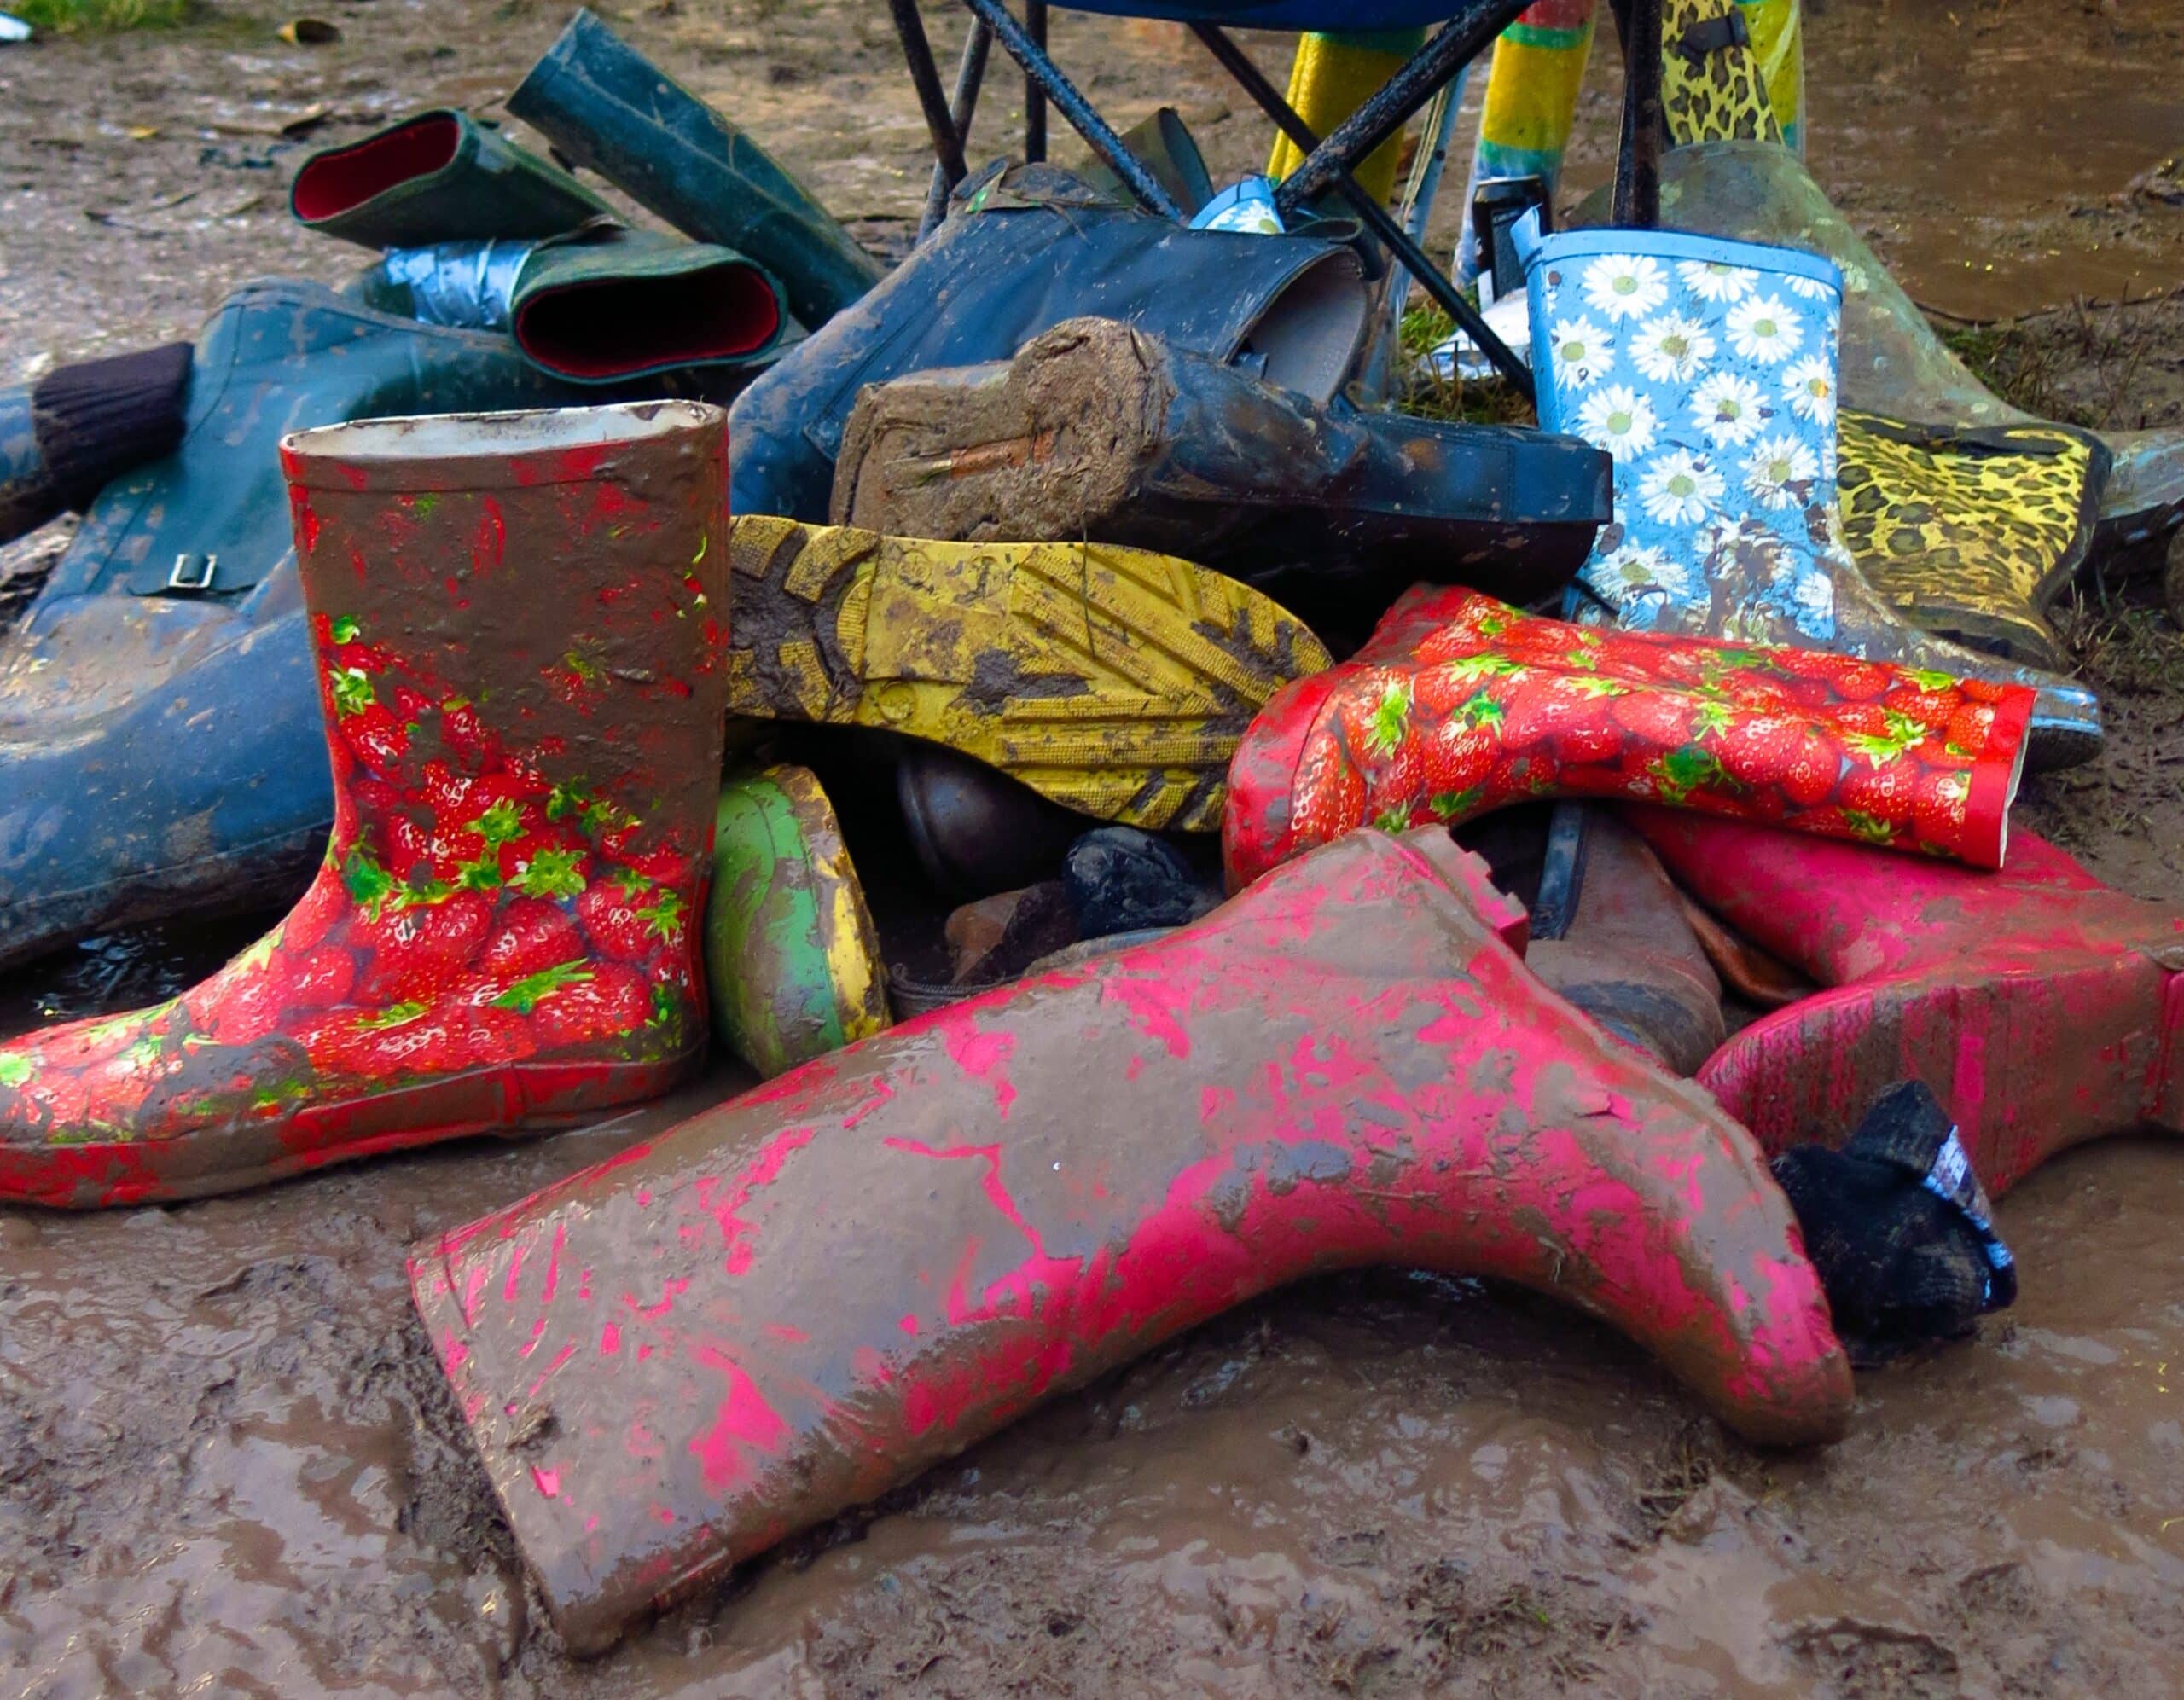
[{"x": 514, "y": 1101}]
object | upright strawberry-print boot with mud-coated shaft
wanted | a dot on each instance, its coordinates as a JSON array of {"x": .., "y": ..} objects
[{"x": 523, "y": 669}]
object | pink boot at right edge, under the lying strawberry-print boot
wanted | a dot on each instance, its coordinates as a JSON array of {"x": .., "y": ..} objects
[{"x": 2041, "y": 1007}]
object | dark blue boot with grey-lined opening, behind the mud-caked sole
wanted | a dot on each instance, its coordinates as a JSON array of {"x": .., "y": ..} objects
[{"x": 1023, "y": 252}]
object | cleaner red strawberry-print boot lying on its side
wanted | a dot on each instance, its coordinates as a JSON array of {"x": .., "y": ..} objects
[{"x": 1460, "y": 706}]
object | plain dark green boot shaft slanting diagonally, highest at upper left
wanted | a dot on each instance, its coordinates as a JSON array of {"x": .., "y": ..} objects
[{"x": 610, "y": 110}]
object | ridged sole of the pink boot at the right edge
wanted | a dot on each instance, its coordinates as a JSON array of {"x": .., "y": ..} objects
[{"x": 1986, "y": 1042}]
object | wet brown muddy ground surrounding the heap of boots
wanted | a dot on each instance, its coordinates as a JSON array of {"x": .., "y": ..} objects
[{"x": 226, "y": 1457}]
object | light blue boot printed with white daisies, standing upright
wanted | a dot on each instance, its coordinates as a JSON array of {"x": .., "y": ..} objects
[{"x": 1707, "y": 370}]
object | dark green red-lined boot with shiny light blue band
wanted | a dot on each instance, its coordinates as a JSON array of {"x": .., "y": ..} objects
[{"x": 597, "y": 307}]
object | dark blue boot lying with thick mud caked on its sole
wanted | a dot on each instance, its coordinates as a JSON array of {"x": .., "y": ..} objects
[{"x": 1100, "y": 431}]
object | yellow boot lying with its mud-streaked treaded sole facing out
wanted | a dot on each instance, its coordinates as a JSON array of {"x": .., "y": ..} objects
[{"x": 1108, "y": 680}]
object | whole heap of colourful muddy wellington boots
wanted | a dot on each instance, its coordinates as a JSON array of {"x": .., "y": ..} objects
[{"x": 1130, "y": 822}]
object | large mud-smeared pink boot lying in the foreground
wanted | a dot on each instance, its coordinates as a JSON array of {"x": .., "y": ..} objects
[{"x": 798, "y": 1302}]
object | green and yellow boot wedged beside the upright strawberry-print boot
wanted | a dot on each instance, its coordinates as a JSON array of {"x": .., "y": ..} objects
[{"x": 792, "y": 955}]
